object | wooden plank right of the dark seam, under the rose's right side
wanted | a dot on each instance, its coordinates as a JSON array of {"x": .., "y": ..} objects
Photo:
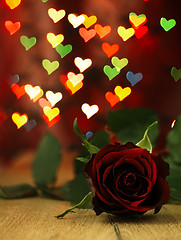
[{"x": 165, "y": 225}]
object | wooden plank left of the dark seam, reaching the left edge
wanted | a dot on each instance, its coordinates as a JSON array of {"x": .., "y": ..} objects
[{"x": 33, "y": 219}]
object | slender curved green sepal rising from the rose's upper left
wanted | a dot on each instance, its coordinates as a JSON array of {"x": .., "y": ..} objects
[{"x": 91, "y": 148}]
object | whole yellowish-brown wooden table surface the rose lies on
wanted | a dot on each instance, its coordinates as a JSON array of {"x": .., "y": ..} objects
[{"x": 34, "y": 218}]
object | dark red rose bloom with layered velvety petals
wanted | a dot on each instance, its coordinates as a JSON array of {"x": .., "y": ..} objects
[{"x": 126, "y": 179}]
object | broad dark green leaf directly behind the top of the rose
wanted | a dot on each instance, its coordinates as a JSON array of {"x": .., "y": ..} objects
[{"x": 130, "y": 124}]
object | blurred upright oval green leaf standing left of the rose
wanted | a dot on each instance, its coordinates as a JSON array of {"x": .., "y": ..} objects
[{"x": 47, "y": 160}]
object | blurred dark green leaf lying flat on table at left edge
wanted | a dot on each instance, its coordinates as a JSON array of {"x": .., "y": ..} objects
[{"x": 18, "y": 191}]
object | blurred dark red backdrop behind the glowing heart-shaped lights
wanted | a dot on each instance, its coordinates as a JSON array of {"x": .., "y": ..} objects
[{"x": 153, "y": 55}]
